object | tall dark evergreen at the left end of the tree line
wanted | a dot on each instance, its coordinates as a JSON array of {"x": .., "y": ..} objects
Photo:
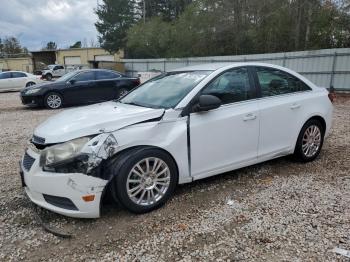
[{"x": 115, "y": 18}]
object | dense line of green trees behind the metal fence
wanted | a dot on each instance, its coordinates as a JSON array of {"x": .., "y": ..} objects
[{"x": 181, "y": 28}]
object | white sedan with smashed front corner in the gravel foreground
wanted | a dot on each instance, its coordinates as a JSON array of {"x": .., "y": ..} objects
[{"x": 181, "y": 126}]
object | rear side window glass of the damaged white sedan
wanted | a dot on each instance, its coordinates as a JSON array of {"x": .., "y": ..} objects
[{"x": 276, "y": 82}]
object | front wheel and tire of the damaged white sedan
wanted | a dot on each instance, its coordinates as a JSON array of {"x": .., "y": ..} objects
[{"x": 136, "y": 189}]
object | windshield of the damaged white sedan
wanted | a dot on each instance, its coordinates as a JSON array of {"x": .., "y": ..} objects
[{"x": 165, "y": 91}]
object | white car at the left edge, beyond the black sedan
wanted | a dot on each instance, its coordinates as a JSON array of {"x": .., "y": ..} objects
[{"x": 17, "y": 80}]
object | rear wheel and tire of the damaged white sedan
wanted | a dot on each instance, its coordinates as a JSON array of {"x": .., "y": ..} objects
[{"x": 310, "y": 141}]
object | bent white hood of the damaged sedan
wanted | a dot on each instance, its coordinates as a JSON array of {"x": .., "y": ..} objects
[{"x": 94, "y": 119}]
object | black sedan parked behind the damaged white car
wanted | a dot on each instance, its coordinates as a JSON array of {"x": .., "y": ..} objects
[{"x": 79, "y": 87}]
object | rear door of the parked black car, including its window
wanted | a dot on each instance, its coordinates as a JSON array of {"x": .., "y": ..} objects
[{"x": 107, "y": 85}]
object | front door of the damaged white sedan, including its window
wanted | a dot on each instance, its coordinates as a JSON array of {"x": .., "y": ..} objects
[{"x": 227, "y": 137}]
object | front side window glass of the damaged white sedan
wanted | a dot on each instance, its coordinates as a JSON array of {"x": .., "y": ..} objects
[{"x": 230, "y": 87}]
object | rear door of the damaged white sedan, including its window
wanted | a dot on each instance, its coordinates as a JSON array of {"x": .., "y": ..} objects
[{"x": 282, "y": 103}]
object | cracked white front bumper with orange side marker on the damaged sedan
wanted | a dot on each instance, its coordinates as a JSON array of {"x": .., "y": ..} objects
[{"x": 63, "y": 193}]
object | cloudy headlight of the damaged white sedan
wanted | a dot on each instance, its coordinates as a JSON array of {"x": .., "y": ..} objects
[{"x": 62, "y": 153}]
